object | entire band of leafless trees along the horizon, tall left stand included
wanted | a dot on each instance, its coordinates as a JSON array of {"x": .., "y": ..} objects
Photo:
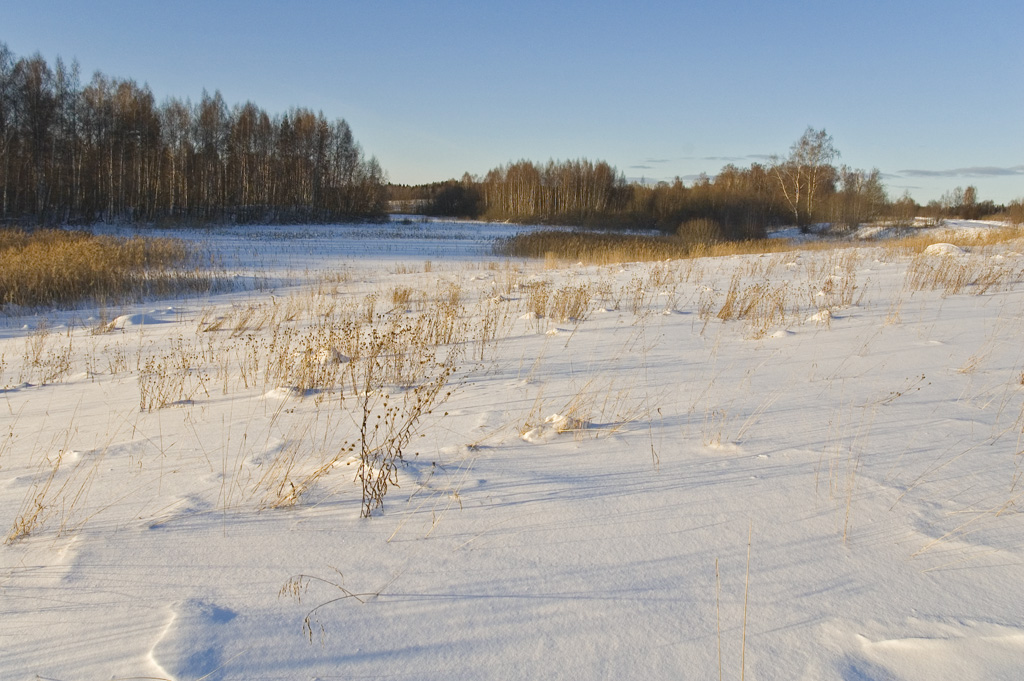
[{"x": 106, "y": 151}]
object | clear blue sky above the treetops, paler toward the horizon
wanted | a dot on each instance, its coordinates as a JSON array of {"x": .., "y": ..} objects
[{"x": 927, "y": 92}]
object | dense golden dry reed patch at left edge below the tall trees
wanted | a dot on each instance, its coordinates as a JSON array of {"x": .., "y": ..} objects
[{"x": 62, "y": 268}]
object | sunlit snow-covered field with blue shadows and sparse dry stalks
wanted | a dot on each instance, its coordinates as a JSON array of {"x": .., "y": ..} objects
[{"x": 824, "y": 485}]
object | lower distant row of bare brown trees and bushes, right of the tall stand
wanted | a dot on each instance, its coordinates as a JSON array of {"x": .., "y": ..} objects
[{"x": 802, "y": 189}]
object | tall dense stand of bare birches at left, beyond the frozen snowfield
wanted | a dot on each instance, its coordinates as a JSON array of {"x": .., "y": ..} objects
[{"x": 107, "y": 152}]
